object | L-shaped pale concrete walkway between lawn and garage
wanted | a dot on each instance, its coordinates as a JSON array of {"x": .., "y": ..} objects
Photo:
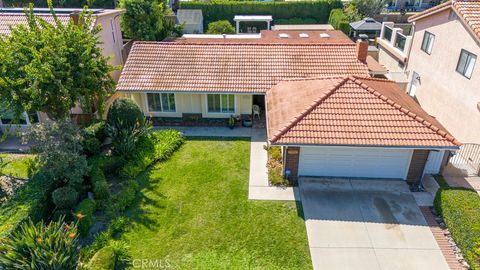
[{"x": 258, "y": 187}]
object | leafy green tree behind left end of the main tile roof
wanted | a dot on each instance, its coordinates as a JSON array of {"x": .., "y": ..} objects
[{"x": 147, "y": 20}]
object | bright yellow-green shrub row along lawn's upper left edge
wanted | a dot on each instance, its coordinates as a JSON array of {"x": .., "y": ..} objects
[{"x": 158, "y": 145}]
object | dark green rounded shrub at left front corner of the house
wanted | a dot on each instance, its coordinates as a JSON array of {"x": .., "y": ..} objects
[{"x": 124, "y": 114}]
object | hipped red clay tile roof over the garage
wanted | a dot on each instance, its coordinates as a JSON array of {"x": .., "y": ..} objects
[{"x": 351, "y": 110}]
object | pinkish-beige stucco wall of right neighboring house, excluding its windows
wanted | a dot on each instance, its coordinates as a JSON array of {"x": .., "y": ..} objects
[{"x": 442, "y": 92}]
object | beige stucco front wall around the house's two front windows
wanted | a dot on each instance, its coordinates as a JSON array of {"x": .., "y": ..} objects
[{"x": 194, "y": 103}]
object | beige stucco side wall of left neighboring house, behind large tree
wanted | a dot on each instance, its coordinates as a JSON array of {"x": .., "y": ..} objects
[{"x": 111, "y": 40}]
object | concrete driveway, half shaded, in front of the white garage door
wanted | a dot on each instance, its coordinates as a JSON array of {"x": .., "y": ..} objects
[{"x": 366, "y": 224}]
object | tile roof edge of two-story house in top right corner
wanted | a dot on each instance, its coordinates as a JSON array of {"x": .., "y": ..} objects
[{"x": 467, "y": 10}]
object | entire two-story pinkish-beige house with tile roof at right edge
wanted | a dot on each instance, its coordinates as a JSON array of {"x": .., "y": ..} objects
[{"x": 444, "y": 66}]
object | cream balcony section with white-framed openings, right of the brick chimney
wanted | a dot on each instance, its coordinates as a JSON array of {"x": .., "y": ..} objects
[{"x": 393, "y": 46}]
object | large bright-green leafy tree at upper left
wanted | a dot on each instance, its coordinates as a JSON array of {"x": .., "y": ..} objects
[{"x": 51, "y": 67}]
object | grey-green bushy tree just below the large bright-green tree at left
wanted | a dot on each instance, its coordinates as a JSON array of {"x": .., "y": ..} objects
[{"x": 58, "y": 146}]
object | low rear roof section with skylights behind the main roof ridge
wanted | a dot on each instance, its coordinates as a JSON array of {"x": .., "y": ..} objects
[{"x": 269, "y": 36}]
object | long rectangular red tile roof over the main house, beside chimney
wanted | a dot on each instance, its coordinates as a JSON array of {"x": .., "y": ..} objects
[{"x": 232, "y": 67}]
